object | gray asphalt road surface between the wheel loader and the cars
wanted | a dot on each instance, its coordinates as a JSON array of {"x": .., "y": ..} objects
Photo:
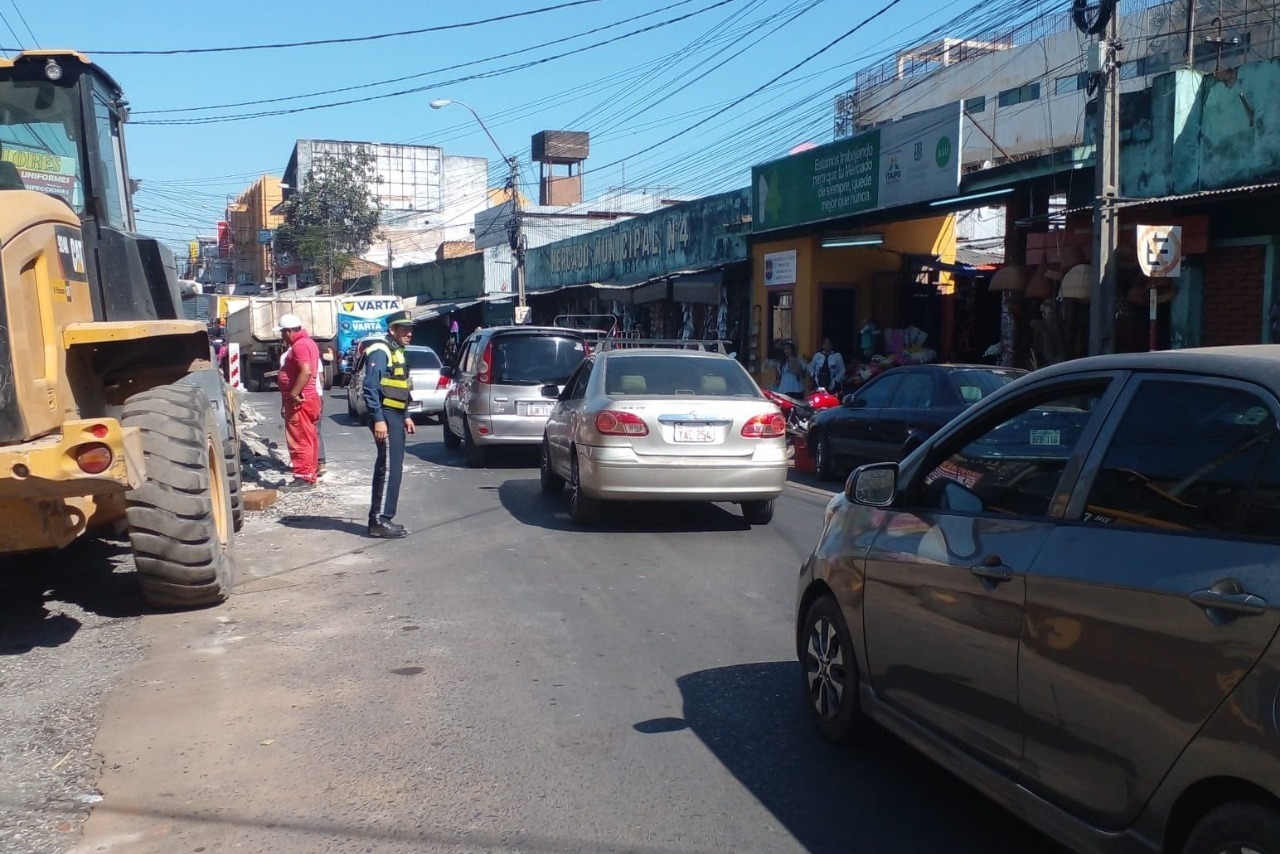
[{"x": 502, "y": 681}]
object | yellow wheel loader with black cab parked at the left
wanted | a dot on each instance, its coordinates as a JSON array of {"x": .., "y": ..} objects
[{"x": 113, "y": 412}]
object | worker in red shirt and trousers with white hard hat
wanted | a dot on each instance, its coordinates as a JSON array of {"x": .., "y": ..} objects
[{"x": 300, "y": 401}]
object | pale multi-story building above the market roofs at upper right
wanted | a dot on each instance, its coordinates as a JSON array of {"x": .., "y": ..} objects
[{"x": 1026, "y": 89}]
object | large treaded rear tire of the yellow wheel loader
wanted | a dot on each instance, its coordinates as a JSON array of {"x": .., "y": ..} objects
[{"x": 181, "y": 518}]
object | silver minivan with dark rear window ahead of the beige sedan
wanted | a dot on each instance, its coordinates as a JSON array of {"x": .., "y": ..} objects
[{"x": 505, "y": 385}]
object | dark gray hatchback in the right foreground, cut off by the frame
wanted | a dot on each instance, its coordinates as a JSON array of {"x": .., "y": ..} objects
[{"x": 1069, "y": 596}]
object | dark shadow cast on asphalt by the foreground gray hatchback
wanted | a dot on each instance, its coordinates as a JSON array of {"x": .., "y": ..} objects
[{"x": 883, "y": 797}]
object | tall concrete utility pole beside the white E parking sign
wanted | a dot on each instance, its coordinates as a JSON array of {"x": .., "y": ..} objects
[{"x": 1107, "y": 166}]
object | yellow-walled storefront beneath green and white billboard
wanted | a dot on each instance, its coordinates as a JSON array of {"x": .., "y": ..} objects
[{"x": 847, "y": 240}]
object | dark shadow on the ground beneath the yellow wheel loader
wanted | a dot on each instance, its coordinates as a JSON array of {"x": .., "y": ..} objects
[{"x": 94, "y": 576}]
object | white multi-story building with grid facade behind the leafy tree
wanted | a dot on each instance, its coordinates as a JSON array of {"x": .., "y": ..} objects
[{"x": 427, "y": 197}]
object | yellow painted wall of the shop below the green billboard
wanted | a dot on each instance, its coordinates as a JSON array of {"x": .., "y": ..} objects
[{"x": 820, "y": 267}]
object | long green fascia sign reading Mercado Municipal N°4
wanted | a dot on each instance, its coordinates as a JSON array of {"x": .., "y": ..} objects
[{"x": 696, "y": 235}]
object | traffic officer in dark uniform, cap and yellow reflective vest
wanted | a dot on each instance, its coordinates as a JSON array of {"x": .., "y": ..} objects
[{"x": 387, "y": 395}]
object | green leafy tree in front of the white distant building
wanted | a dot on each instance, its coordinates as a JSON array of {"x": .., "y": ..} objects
[{"x": 335, "y": 217}]
